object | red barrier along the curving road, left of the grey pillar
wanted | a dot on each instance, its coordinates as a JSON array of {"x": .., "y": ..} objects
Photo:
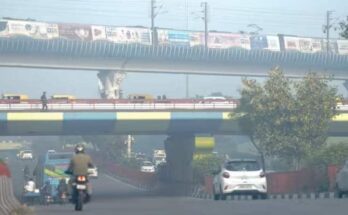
[{"x": 132, "y": 176}]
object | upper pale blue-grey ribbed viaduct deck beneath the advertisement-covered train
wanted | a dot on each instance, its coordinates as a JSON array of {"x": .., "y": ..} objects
[{"x": 103, "y": 55}]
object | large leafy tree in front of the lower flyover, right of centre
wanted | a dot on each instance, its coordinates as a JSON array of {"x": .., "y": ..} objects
[{"x": 284, "y": 118}]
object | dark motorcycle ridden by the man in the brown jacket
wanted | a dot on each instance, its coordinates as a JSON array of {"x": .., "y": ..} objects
[{"x": 80, "y": 191}]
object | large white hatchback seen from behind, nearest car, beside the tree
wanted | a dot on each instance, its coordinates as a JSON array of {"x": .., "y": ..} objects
[{"x": 242, "y": 176}]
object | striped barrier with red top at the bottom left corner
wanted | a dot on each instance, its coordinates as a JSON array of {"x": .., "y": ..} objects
[{"x": 8, "y": 202}]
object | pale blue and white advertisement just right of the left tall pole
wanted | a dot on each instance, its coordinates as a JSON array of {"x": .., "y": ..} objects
[{"x": 171, "y": 37}]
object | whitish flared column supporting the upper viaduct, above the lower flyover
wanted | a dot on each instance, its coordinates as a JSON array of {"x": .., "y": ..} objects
[{"x": 110, "y": 84}]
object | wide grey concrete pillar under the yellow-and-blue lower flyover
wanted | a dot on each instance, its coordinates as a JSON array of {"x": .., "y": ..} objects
[{"x": 179, "y": 150}]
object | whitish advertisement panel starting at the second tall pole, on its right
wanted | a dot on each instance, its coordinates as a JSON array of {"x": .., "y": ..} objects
[{"x": 228, "y": 40}]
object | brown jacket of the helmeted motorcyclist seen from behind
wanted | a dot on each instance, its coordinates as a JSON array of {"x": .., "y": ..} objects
[{"x": 79, "y": 164}]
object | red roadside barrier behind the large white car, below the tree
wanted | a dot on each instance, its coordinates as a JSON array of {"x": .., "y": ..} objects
[{"x": 309, "y": 180}]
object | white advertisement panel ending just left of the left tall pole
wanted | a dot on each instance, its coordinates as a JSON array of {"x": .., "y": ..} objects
[{"x": 128, "y": 35}]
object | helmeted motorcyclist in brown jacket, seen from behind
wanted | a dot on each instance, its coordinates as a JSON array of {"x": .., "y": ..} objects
[{"x": 78, "y": 166}]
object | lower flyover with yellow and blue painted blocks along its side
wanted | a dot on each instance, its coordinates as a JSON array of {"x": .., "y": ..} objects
[{"x": 91, "y": 118}]
